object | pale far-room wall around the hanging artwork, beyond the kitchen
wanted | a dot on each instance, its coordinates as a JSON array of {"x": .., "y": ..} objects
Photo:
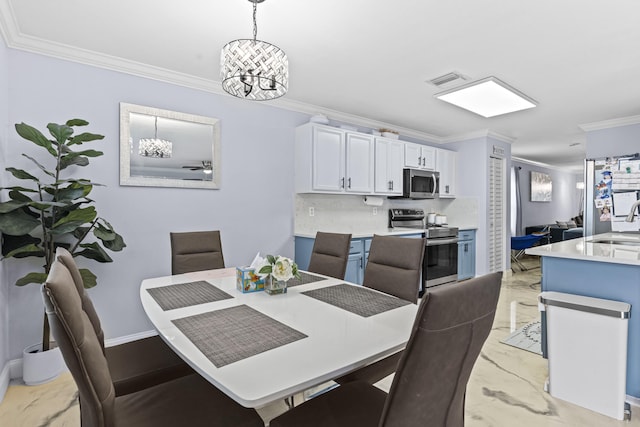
[{"x": 565, "y": 197}]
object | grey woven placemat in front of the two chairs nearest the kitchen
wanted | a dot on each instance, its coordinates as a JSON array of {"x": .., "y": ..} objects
[{"x": 357, "y": 299}]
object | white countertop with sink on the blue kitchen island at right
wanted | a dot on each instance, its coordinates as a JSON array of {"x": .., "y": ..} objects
[{"x": 593, "y": 248}]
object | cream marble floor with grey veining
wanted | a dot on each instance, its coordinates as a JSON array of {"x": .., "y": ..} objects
[{"x": 505, "y": 388}]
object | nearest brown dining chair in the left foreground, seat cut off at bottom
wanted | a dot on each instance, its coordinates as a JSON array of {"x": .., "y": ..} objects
[{"x": 188, "y": 400}]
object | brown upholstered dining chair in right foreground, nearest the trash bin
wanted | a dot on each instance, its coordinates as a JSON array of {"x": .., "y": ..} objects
[{"x": 429, "y": 387}]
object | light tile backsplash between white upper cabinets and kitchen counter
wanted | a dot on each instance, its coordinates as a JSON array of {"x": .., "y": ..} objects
[{"x": 350, "y": 214}]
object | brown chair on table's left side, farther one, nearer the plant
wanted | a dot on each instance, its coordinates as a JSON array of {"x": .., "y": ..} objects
[{"x": 134, "y": 365}]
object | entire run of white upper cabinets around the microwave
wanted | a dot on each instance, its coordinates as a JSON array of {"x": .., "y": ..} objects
[{"x": 335, "y": 161}]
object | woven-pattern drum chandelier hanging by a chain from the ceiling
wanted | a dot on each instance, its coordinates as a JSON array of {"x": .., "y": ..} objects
[{"x": 254, "y": 69}]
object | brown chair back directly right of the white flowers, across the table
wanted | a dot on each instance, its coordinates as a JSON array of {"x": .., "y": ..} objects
[{"x": 330, "y": 254}]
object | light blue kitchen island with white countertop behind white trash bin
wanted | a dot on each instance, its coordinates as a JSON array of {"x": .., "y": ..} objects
[{"x": 602, "y": 266}]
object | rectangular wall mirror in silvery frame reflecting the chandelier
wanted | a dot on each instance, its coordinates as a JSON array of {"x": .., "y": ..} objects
[{"x": 162, "y": 148}]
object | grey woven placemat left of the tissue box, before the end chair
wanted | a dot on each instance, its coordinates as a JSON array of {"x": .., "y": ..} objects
[{"x": 187, "y": 294}]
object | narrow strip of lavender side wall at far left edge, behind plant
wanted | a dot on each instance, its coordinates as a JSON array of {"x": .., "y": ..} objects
[{"x": 4, "y": 290}]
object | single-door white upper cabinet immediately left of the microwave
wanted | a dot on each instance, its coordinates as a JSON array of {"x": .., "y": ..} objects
[{"x": 389, "y": 161}]
